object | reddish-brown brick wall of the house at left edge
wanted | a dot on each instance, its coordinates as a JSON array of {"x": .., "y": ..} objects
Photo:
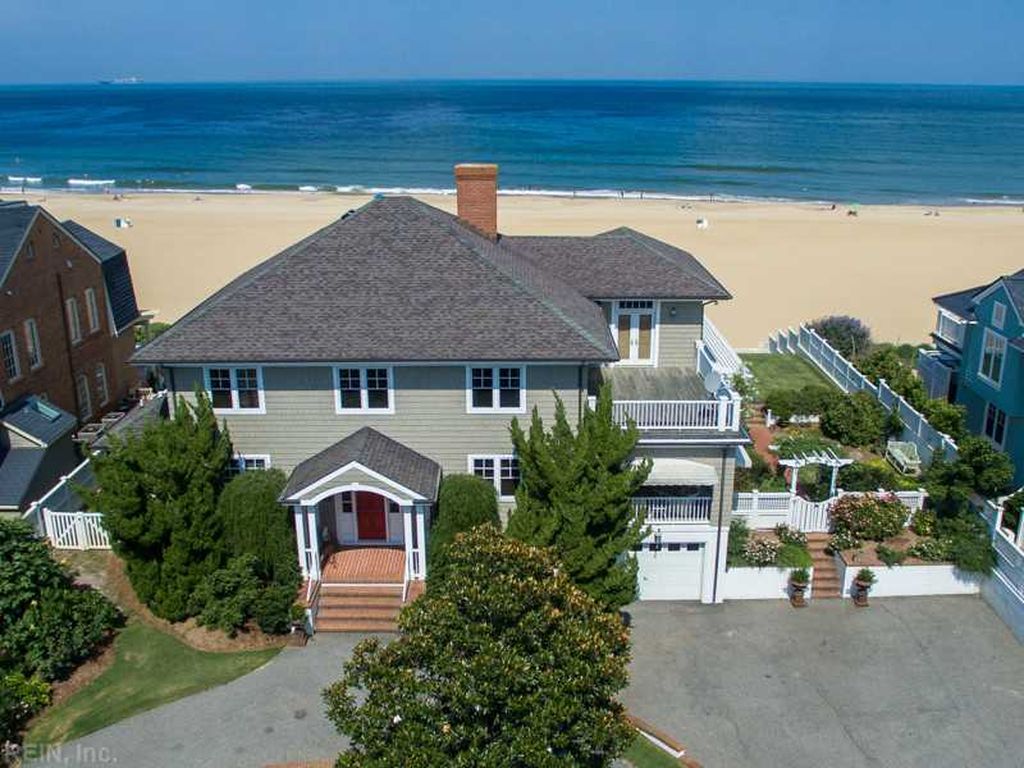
[{"x": 37, "y": 287}]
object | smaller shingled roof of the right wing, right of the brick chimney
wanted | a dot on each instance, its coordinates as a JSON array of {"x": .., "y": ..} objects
[{"x": 623, "y": 264}]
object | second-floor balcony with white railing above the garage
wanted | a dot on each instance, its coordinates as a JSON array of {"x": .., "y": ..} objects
[{"x": 667, "y": 400}]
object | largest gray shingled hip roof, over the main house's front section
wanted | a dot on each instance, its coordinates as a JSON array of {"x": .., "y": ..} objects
[{"x": 398, "y": 280}]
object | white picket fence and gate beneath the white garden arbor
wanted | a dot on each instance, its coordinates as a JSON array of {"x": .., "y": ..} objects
[{"x": 763, "y": 511}]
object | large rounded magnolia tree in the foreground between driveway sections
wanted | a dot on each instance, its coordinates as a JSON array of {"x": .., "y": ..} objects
[{"x": 503, "y": 662}]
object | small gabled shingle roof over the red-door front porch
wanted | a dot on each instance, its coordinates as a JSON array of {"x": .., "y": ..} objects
[{"x": 376, "y": 452}]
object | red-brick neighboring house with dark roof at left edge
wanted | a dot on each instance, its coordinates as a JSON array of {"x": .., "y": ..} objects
[{"x": 67, "y": 314}]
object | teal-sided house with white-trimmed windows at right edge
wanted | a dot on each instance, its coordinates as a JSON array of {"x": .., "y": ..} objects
[{"x": 979, "y": 340}]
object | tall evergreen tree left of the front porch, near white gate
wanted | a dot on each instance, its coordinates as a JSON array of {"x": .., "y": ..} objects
[{"x": 158, "y": 493}]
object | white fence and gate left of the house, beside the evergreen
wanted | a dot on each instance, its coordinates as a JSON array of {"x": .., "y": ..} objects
[{"x": 61, "y": 518}]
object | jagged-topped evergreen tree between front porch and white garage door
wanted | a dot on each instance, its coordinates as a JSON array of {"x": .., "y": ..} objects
[{"x": 576, "y": 497}]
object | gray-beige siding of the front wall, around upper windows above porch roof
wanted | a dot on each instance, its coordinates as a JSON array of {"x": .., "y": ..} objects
[{"x": 431, "y": 413}]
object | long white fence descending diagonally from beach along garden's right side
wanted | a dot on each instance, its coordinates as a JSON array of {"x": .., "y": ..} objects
[{"x": 806, "y": 343}]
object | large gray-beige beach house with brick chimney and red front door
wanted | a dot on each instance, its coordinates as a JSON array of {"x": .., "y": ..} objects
[{"x": 395, "y": 347}]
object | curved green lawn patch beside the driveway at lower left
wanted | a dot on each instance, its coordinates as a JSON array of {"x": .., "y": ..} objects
[{"x": 150, "y": 669}]
